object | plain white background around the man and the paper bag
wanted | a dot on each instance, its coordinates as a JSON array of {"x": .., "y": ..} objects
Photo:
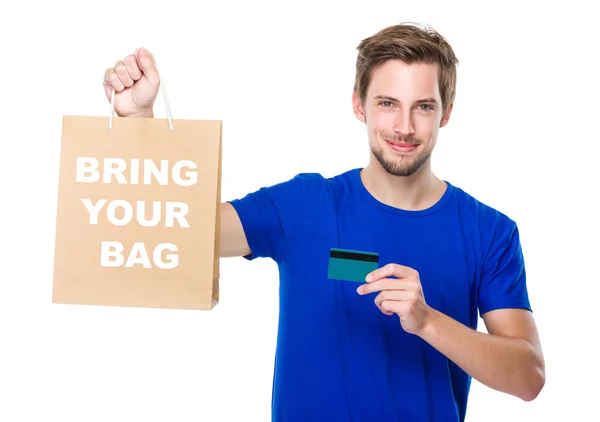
[{"x": 522, "y": 138}]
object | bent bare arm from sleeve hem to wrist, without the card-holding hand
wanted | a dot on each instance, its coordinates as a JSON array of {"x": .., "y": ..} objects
[{"x": 508, "y": 359}]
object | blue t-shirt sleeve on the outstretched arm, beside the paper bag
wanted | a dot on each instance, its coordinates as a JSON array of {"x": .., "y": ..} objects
[{"x": 269, "y": 215}]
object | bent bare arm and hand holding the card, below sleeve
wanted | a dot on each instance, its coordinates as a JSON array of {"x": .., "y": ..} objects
[{"x": 508, "y": 359}]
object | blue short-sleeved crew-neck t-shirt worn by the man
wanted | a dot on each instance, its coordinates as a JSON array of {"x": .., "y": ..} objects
[{"x": 338, "y": 357}]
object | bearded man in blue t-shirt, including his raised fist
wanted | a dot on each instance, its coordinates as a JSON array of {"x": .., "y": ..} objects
[{"x": 402, "y": 346}]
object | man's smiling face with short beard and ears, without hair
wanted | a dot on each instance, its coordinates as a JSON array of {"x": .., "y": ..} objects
[{"x": 403, "y": 114}]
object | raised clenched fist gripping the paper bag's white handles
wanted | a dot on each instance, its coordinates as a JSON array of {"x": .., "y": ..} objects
[{"x": 136, "y": 82}]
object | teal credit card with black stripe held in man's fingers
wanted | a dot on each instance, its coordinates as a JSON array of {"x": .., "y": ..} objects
[{"x": 349, "y": 265}]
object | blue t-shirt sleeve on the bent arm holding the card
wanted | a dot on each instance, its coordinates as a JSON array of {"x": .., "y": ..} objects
[{"x": 503, "y": 280}]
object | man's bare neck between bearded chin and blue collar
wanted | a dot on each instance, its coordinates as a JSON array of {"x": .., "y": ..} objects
[{"x": 412, "y": 193}]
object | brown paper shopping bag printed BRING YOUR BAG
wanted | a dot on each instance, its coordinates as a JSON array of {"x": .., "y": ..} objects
[{"x": 138, "y": 213}]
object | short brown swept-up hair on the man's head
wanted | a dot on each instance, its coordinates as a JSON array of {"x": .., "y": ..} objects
[{"x": 410, "y": 43}]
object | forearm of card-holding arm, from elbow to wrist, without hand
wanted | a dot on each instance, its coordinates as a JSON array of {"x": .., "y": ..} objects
[{"x": 510, "y": 365}]
